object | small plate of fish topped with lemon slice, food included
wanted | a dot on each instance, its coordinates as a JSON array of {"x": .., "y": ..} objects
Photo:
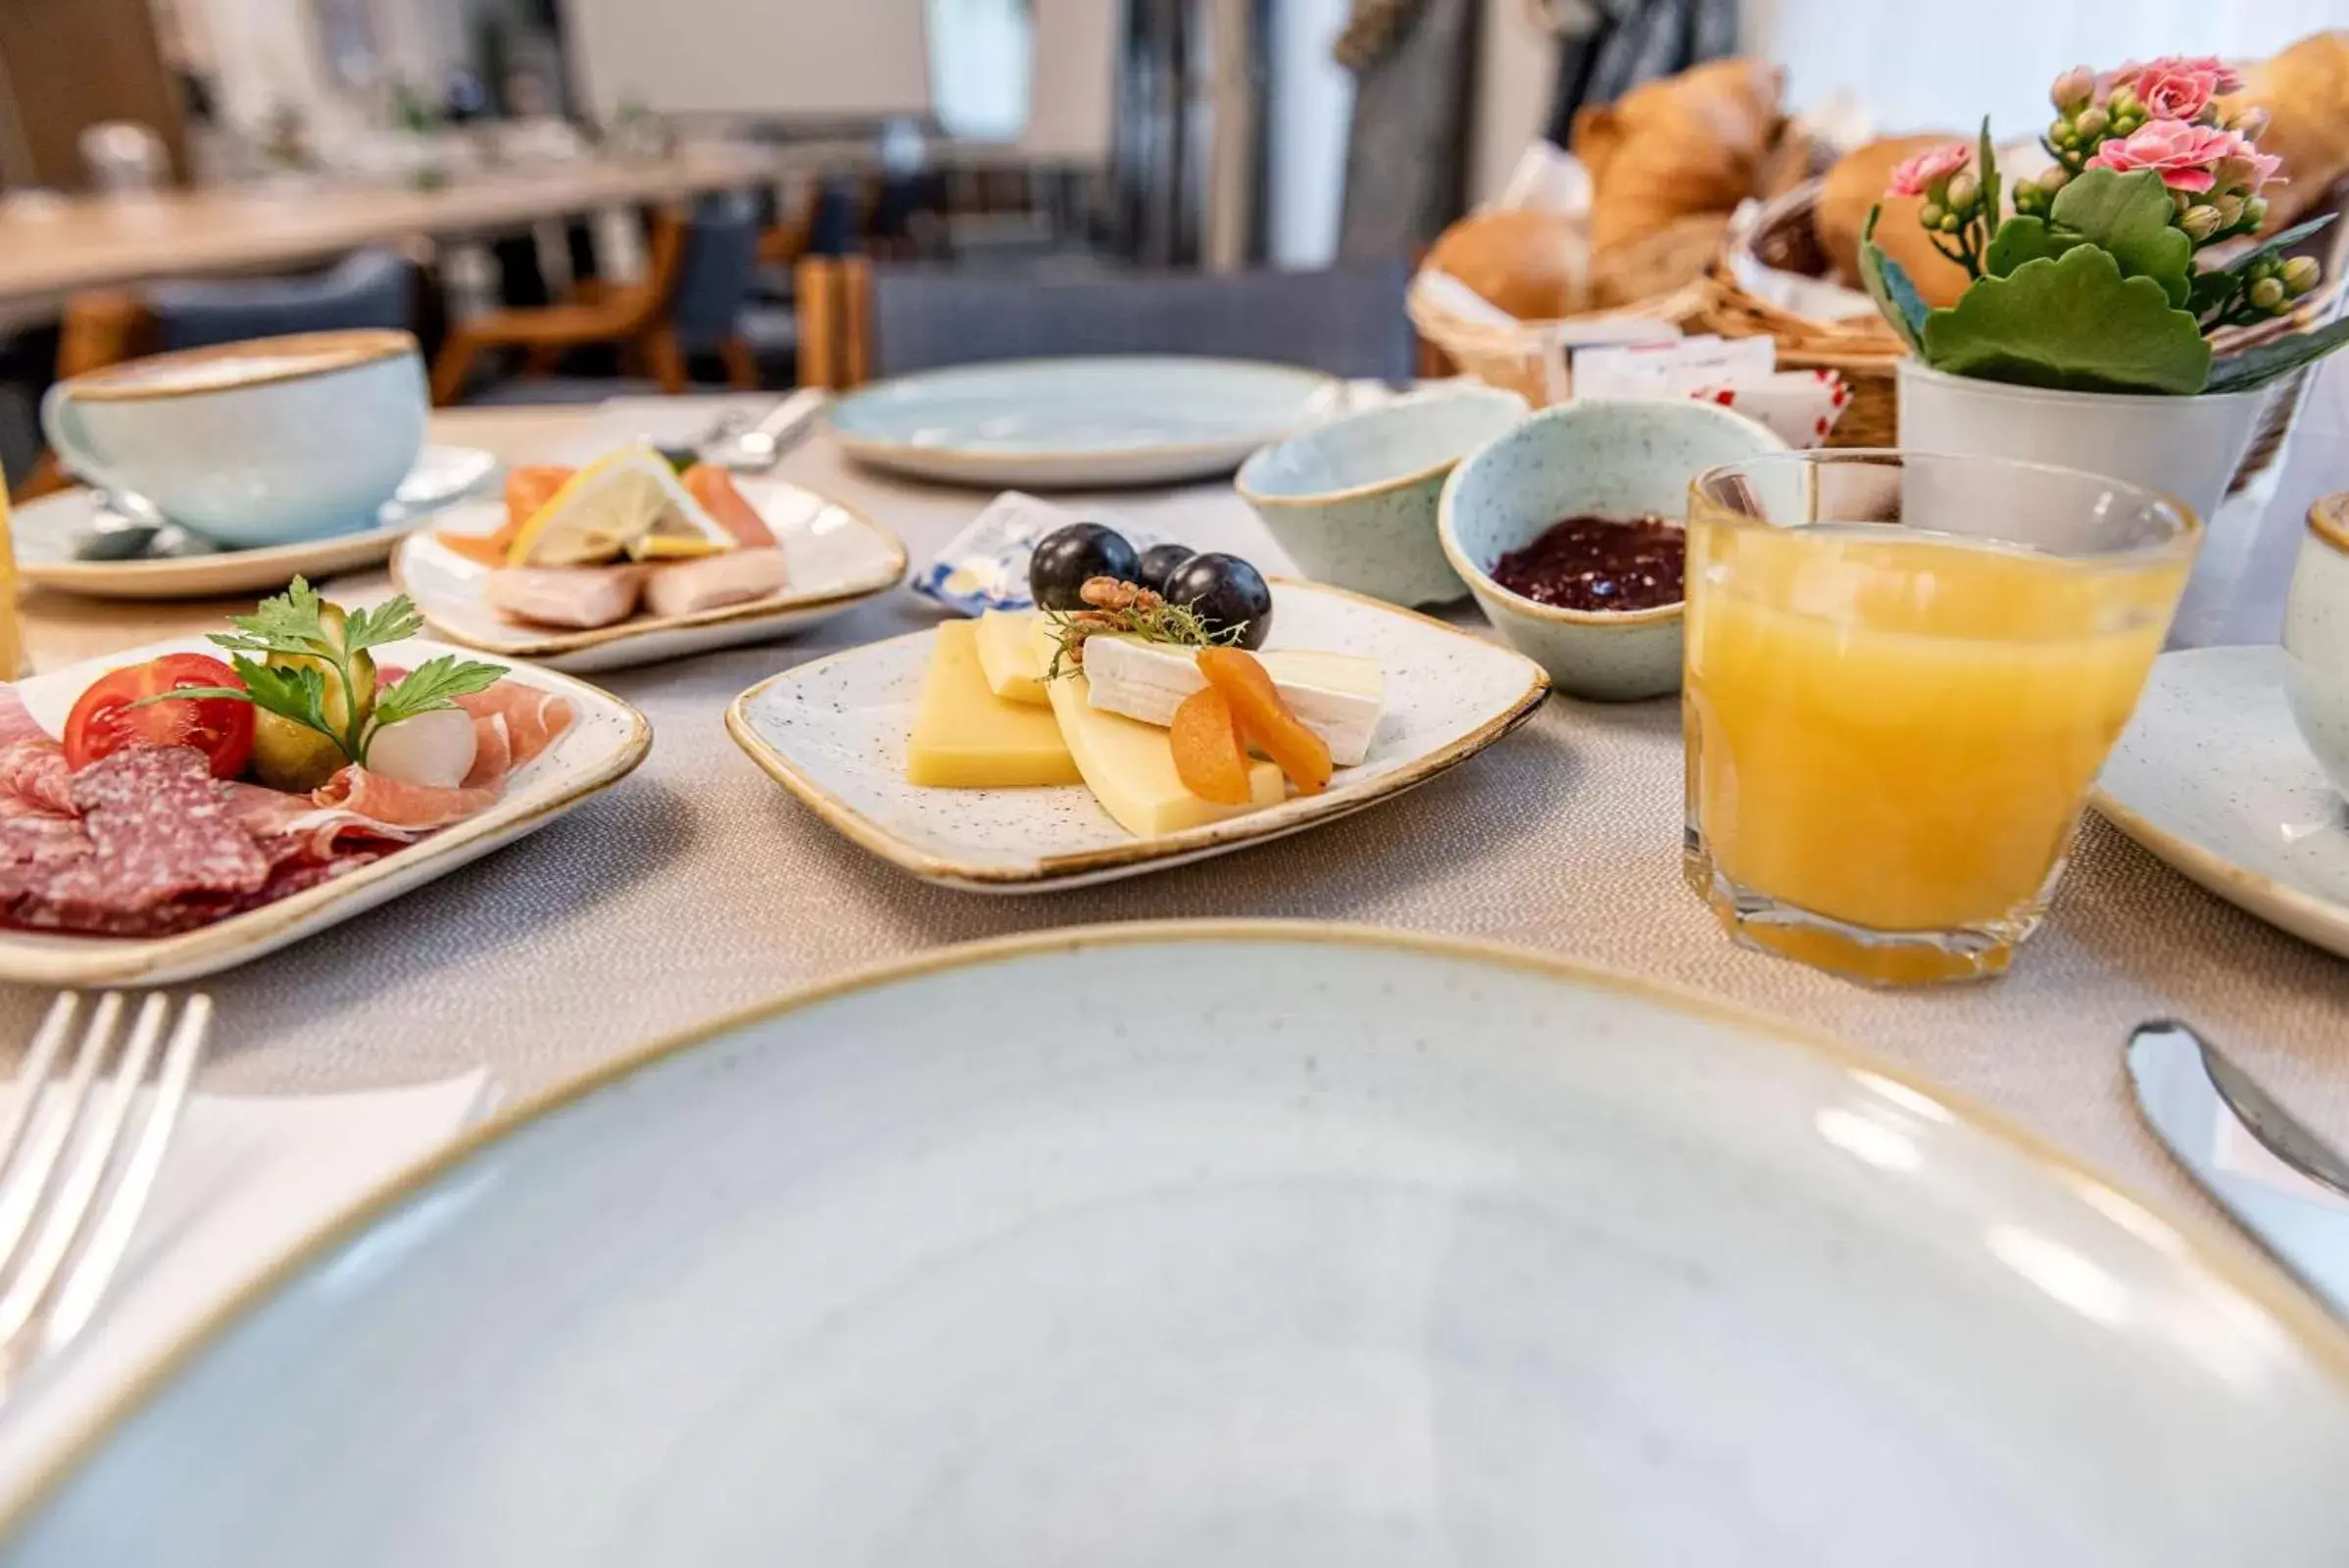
[{"x": 631, "y": 560}]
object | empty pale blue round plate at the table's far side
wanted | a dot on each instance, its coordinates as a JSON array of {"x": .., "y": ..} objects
[{"x": 1056, "y": 424}]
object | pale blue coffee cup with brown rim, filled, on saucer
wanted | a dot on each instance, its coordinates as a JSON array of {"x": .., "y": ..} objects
[{"x": 257, "y": 442}]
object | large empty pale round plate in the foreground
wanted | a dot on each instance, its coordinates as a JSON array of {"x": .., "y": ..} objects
[{"x": 1241, "y": 1245}]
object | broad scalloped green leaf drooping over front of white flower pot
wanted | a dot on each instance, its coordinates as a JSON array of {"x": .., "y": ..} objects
[{"x": 2071, "y": 323}]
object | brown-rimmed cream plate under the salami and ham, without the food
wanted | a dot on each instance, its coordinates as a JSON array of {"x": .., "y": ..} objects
[{"x": 605, "y": 743}]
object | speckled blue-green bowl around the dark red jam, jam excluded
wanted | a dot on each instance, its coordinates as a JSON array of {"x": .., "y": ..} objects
[{"x": 1598, "y": 459}]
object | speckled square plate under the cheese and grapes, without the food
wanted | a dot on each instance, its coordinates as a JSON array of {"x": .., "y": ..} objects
[{"x": 835, "y": 736}]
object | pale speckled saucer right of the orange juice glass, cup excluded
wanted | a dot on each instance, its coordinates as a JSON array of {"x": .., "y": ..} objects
[{"x": 2214, "y": 778}]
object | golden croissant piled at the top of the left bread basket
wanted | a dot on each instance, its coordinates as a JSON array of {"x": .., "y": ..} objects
[{"x": 1678, "y": 147}]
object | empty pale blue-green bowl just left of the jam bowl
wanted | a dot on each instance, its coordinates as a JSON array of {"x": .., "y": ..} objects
[{"x": 1354, "y": 501}]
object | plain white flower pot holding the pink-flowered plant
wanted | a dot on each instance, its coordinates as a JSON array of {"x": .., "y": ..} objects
[{"x": 2186, "y": 447}]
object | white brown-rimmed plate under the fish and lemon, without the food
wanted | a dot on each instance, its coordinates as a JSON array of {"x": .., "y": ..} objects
[{"x": 837, "y": 560}]
